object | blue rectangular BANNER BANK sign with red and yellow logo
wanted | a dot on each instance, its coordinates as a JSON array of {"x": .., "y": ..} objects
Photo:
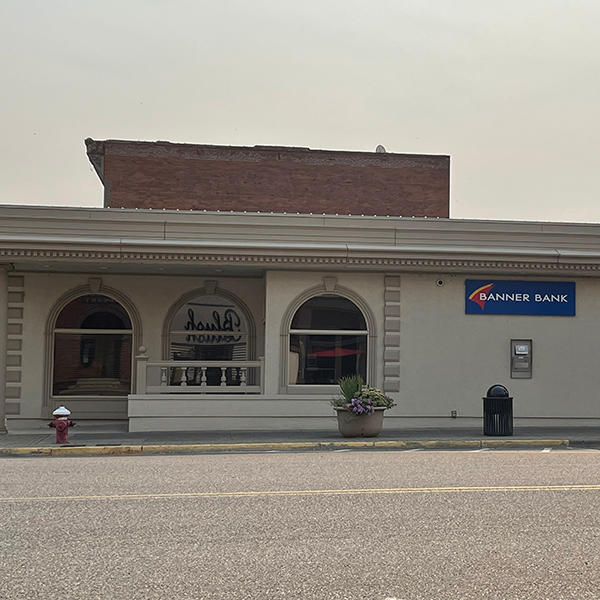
[{"x": 501, "y": 297}]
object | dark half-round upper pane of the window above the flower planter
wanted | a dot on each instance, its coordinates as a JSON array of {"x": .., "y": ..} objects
[{"x": 329, "y": 313}]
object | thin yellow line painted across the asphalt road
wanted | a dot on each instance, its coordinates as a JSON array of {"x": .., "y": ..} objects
[{"x": 349, "y": 492}]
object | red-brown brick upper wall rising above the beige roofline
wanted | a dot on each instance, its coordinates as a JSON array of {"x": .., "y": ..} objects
[{"x": 278, "y": 179}]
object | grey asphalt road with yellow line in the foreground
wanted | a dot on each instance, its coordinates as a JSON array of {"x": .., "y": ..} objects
[{"x": 336, "y": 525}]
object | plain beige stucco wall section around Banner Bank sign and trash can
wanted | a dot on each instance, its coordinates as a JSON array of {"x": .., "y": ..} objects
[{"x": 449, "y": 359}]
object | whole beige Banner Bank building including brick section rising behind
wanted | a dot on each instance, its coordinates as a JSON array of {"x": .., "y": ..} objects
[{"x": 242, "y": 313}]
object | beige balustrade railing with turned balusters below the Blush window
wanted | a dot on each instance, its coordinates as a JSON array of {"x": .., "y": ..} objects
[{"x": 198, "y": 376}]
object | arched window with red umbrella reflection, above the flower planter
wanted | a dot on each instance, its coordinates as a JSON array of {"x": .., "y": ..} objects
[{"x": 328, "y": 340}]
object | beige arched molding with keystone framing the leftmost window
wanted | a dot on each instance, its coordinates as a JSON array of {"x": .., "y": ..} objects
[{"x": 94, "y": 287}]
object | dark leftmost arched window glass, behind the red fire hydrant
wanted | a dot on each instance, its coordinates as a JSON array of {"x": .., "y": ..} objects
[{"x": 92, "y": 348}]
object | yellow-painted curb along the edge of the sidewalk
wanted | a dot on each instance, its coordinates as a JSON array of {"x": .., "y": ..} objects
[{"x": 282, "y": 446}]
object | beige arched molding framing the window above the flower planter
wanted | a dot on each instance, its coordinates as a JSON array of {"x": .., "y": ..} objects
[{"x": 323, "y": 290}]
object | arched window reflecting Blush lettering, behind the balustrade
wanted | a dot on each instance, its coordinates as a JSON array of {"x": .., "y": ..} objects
[{"x": 209, "y": 327}]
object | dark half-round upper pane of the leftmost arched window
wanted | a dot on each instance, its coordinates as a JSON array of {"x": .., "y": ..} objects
[{"x": 93, "y": 311}]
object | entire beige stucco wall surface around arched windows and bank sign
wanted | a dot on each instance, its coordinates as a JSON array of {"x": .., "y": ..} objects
[{"x": 447, "y": 359}]
